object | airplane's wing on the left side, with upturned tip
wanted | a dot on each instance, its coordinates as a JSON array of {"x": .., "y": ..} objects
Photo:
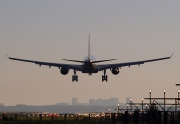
[{"x": 59, "y": 65}]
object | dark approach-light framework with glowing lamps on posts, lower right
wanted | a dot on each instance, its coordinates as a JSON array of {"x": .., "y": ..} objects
[{"x": 155, "y": 111}]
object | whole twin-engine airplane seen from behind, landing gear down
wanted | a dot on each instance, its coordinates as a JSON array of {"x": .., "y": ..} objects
[{"x": 89, "y": 65}]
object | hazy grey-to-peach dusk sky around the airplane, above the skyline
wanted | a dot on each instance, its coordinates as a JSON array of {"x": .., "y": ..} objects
[{"x": 51, "y": 30}]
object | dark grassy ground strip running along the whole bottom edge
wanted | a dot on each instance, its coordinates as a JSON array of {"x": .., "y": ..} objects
[{"x": 112, "y": 118}]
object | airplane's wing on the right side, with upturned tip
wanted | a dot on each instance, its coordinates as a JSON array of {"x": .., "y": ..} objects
[{"x": 119, "y": 65}]
